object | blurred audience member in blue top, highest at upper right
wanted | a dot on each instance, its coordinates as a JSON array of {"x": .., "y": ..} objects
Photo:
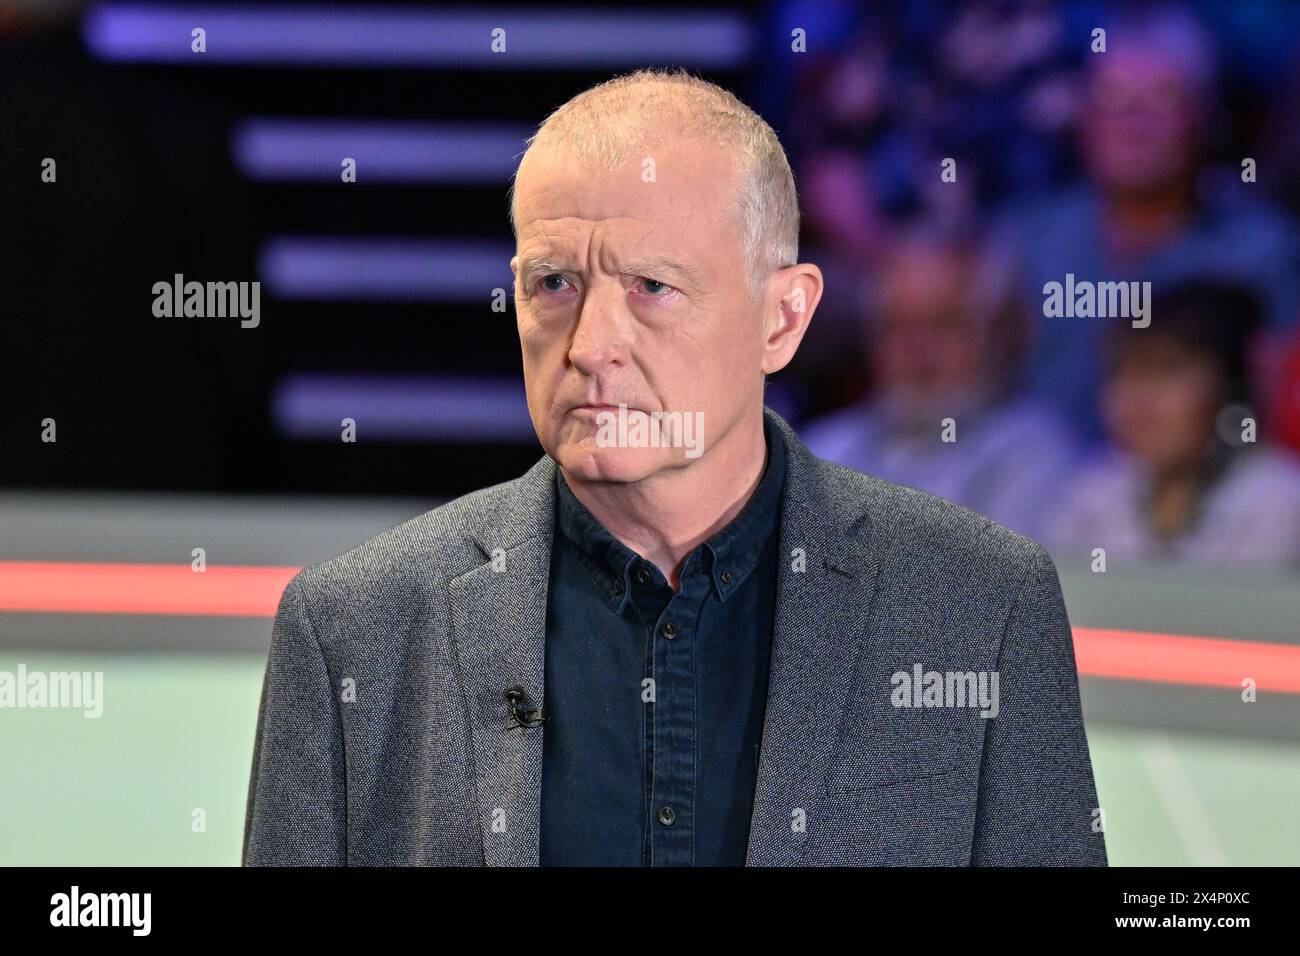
[{"x": 1149, "y": 213}]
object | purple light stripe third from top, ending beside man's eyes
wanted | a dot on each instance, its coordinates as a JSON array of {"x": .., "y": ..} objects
[{"x": 385, "y": 270}]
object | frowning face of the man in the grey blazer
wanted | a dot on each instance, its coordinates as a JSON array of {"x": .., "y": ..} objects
[{"x": 634, "y": 293}]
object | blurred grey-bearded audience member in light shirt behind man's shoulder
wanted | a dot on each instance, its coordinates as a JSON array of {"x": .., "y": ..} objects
[{"x": 944, "y": 335}]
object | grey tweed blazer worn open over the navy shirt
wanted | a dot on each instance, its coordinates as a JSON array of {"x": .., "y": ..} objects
[{"x": 383, "y": 730}]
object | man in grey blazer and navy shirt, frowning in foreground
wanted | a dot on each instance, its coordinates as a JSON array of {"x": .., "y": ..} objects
[{"x": 679, "y": 639}]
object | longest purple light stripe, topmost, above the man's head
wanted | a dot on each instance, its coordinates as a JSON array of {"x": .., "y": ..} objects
[{"x": 417, "y": 37}]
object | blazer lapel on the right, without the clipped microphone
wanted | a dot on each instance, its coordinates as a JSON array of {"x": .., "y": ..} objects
[{"x": 826, "y": 586}]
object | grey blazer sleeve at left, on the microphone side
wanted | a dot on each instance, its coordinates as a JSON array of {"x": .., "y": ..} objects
[{"x": 297, "y": 814}]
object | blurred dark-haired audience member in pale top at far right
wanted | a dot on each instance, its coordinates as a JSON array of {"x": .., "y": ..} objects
[{"x": 1180, "y": 482}]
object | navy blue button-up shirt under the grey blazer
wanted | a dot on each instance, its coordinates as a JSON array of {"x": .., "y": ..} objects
[{"x": 656, "y": 700}]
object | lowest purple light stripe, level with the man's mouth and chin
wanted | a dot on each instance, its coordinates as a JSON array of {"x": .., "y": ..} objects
[{"x": 404, "y": 409}]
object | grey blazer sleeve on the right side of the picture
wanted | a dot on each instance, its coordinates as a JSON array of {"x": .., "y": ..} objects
[{"x": 1038, "y": 802}]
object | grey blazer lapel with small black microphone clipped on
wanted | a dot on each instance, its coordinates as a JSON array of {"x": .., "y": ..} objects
[{"x": 499, "y": 622}]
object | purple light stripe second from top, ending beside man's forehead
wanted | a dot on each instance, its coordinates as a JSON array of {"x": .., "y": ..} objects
[{"x": 300, "y": 149}]
